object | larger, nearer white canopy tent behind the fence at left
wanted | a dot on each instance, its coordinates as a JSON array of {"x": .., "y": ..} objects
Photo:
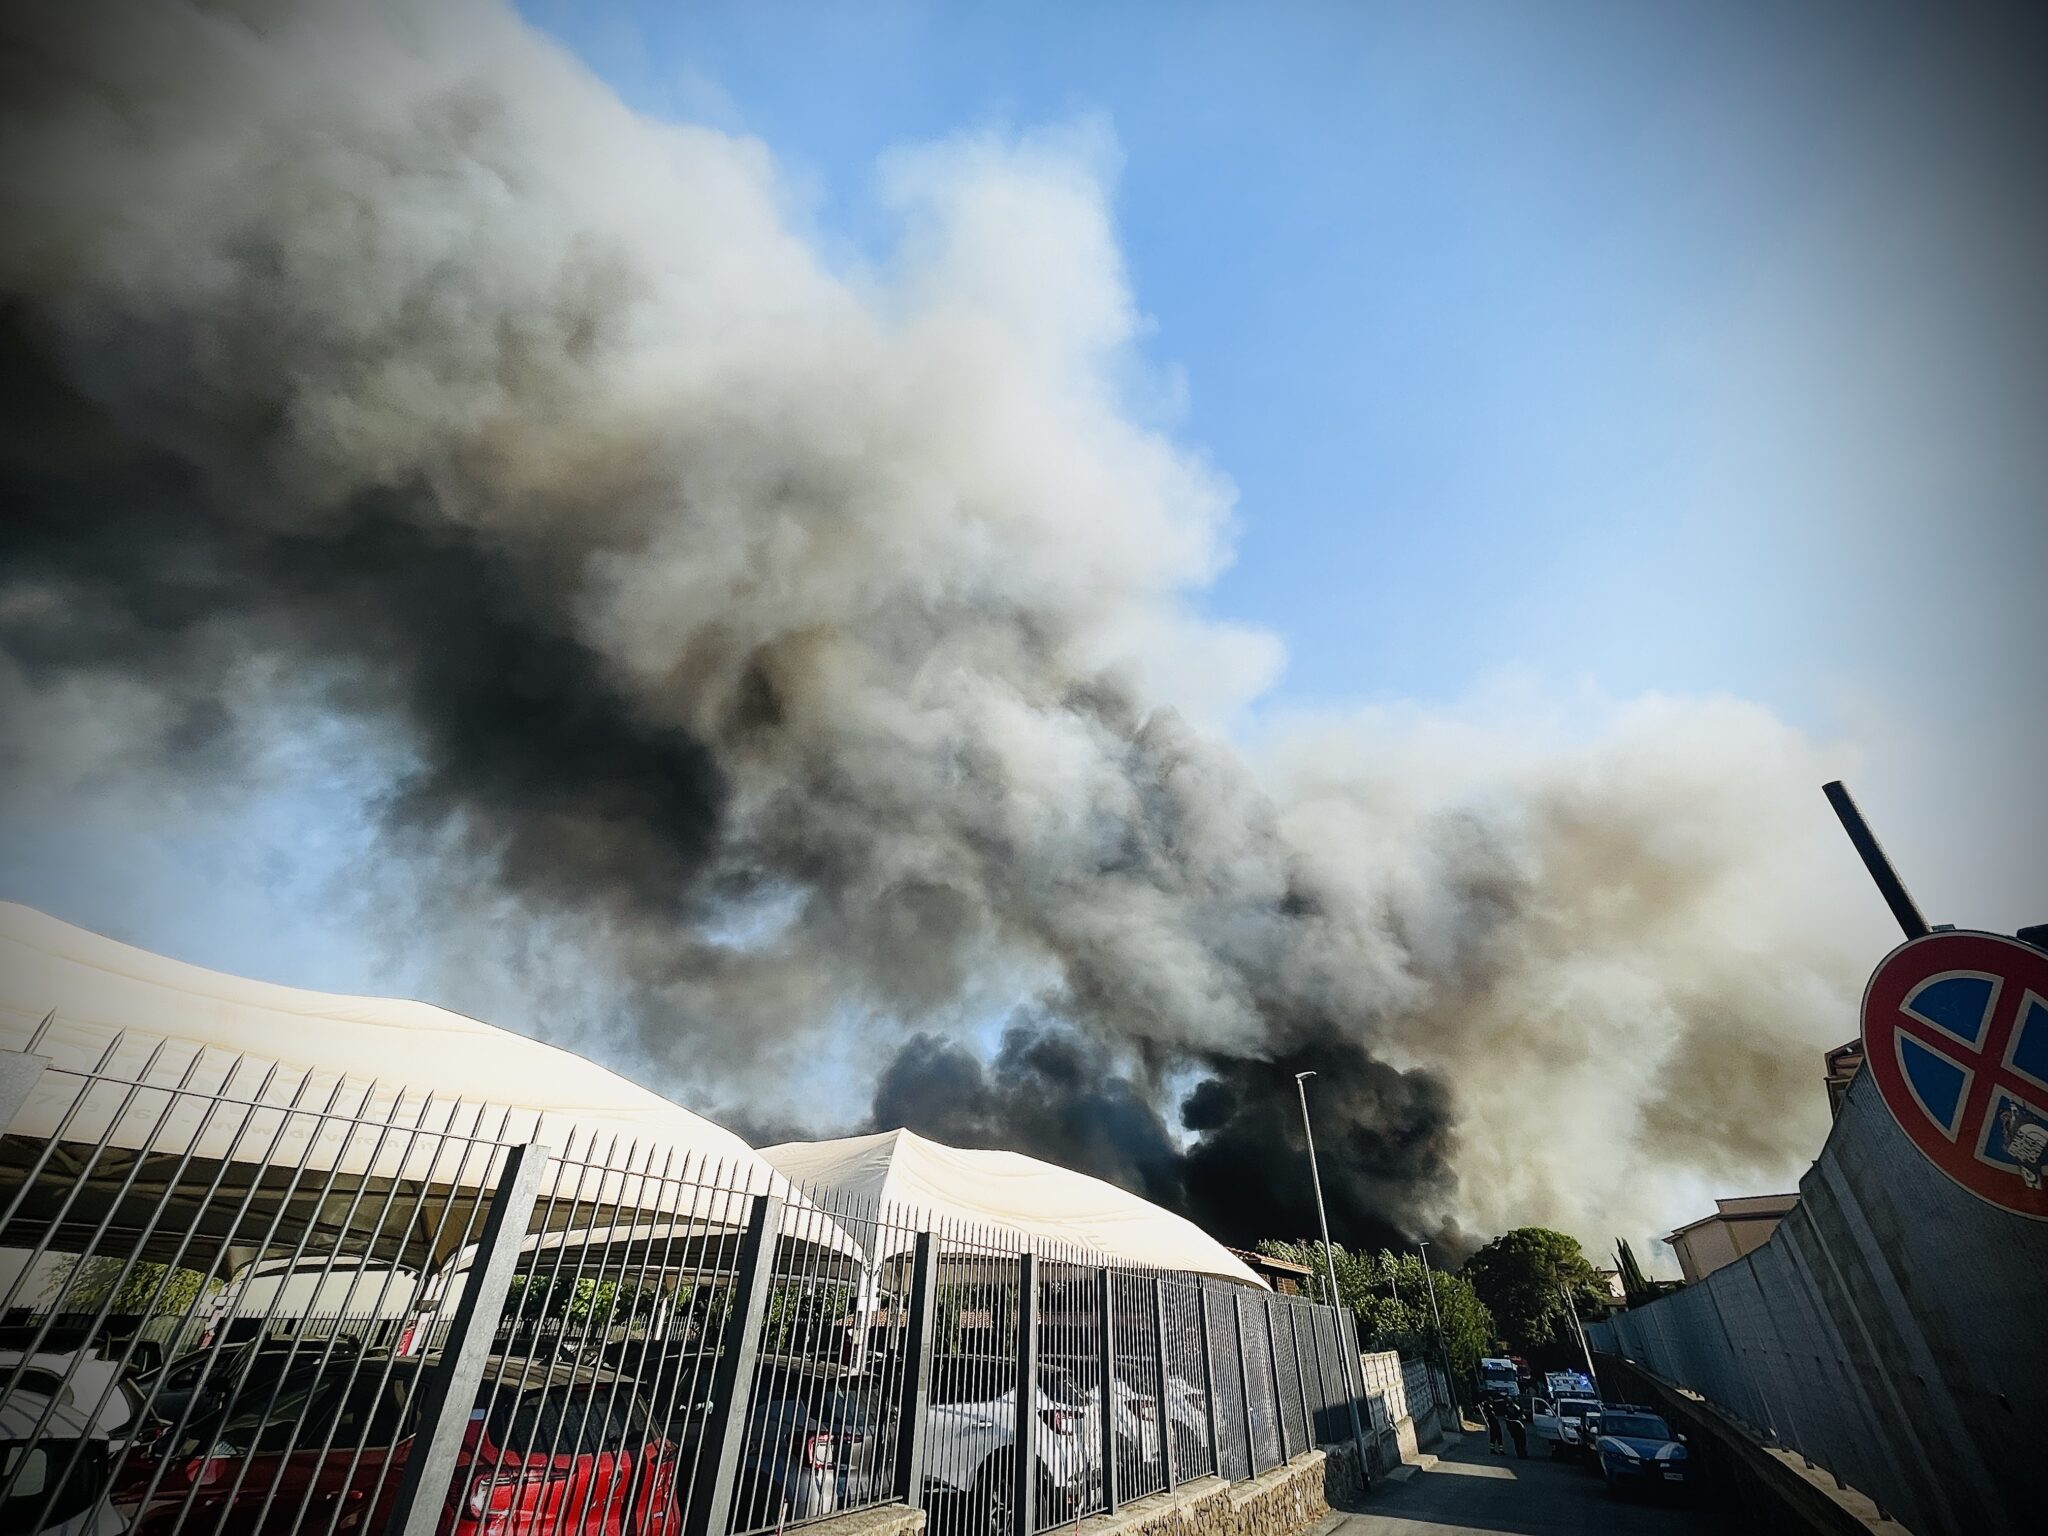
[{"x": 349, "y": 1068}]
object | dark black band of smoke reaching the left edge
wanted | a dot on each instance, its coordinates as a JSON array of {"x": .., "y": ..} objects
[{"x": 521, "y": 742}]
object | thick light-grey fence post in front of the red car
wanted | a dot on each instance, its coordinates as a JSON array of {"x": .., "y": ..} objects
[{"x": 450, "y": 1392}]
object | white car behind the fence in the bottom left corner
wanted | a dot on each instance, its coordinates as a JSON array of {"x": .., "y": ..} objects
[{"x": 87, "y": 1416}]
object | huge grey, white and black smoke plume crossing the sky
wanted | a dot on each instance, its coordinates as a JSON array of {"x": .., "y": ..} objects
[{"x": 818, "y": 648}]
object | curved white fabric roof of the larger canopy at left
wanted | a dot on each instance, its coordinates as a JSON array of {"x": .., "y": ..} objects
[{"x": 142, "y": 1017}]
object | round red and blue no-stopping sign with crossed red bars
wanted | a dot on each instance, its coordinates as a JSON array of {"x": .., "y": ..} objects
[{"x": 1957, "y": 1039}]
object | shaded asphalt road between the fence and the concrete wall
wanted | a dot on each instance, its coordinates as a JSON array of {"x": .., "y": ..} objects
[{"x": 1474, "y": 1492}]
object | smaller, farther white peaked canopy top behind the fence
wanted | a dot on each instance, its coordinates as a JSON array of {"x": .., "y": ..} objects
[{"x": 1009, "y": 1193}]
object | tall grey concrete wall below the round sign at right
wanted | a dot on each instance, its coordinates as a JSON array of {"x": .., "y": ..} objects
[{"x": 1891, "y": 1332}]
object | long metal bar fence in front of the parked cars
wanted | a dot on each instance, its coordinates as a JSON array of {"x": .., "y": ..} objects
[{"x": 441, "y": 1326}]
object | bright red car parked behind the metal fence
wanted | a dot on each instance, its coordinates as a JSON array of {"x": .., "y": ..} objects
[{"x": 552, "y": 1451}]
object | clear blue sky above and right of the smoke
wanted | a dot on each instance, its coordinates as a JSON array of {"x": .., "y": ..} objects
[{"x": 1535, "y": 337}]
